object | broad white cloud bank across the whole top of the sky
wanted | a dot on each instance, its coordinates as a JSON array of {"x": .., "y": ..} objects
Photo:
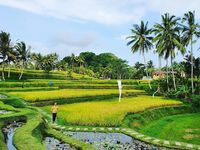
[{"x": 109, "y": 12}]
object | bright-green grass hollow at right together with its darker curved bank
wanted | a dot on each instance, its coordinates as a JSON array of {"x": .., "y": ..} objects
[{"x": 168, "y": 123}]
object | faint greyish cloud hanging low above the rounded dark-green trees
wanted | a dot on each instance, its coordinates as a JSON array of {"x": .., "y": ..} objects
[{"x": 66, "y": 43}]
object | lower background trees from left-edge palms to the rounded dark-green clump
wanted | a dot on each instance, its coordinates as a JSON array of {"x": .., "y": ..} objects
[{"x": 104, "y": 65}]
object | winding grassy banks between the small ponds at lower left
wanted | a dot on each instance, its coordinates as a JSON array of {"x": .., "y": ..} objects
[{"x": 31, "y": 135}]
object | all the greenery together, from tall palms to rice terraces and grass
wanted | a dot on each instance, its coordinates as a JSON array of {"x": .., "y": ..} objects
[{"x": 162, "y": 102}]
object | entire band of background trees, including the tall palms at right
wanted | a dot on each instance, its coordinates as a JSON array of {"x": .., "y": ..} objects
[{"x": 173, "y": 35}]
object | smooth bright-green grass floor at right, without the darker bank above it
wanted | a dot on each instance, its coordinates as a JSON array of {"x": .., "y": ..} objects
[{"x": 184, "y": 127}]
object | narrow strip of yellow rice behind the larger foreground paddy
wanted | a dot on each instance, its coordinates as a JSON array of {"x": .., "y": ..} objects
[{"x": 68, "y": 93}]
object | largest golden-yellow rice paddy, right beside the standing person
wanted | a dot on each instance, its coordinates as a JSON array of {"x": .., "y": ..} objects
[{"x": 109, "y": 112}]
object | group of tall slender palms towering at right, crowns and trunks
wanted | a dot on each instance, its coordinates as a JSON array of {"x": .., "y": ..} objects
[{"x": 173, "y": 35}]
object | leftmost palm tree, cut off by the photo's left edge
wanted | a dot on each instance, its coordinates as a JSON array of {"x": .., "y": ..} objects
[{"x": 4, "y": 48}]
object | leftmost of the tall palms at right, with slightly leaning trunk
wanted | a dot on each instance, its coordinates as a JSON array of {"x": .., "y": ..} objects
[{"x": 141, "y": 40}]
